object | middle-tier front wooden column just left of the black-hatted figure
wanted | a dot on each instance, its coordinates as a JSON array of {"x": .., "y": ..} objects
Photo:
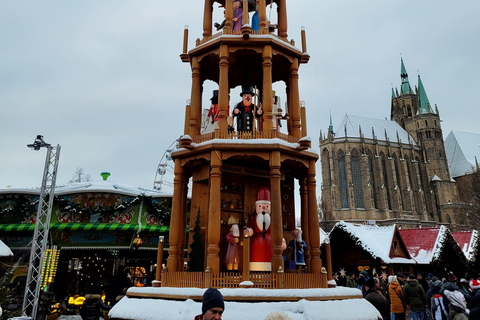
[{"x": 223, "y": 90}]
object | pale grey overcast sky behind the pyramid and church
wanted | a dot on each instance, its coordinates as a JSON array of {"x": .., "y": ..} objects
[{"x": 104, "y": 80}]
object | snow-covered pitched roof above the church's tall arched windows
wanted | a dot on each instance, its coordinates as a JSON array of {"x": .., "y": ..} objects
[{"x": 353, "y": 124}]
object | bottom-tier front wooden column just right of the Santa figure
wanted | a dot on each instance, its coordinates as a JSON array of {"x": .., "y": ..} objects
[{"x": 276, "y": 210}]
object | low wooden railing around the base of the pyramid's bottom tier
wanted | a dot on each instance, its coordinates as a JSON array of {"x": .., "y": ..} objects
[{"x": 262, "y": 280}]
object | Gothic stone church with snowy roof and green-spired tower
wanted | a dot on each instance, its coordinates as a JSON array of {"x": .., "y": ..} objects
[{"x": 390, "y": 171}]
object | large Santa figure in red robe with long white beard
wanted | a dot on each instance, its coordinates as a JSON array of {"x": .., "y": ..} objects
[{"x": 261, "y": 244}]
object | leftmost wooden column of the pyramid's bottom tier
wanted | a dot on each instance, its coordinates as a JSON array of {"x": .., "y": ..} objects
[{"x": 176, "y": 217}]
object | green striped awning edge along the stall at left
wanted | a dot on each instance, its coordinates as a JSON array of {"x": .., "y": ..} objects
[{"x": 108, "y": 227}]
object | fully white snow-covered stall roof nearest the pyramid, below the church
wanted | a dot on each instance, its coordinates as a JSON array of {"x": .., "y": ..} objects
[{"x": 374, "y": 239}]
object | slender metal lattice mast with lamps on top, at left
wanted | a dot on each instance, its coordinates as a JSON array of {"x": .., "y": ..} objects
[{"x": 42, "y": 224}]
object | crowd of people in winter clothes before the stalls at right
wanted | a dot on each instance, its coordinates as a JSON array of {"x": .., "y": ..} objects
[{"x": 424, "y": 298}]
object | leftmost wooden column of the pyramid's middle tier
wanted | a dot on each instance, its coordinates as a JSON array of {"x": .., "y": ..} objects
[{"x": 196, "y": 100}]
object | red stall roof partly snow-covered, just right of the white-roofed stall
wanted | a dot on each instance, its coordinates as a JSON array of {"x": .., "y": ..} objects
[{"x": 426, "y": 244}]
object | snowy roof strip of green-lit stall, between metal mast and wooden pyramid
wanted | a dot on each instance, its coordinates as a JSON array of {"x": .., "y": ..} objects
[{"x": 106, "y": 186}]
